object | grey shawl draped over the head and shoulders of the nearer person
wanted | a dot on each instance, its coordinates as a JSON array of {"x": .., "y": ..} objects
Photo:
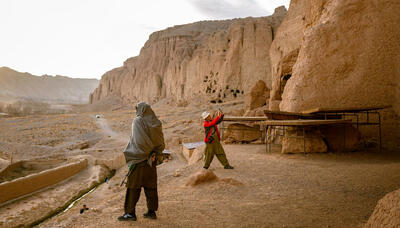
[{"x": 147, "y": 136}]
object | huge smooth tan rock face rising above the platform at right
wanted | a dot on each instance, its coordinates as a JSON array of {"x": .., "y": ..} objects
[{"x": 338, "y": 54}]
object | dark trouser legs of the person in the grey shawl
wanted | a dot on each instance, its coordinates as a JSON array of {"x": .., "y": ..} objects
[{"x": 133, "y": 195}]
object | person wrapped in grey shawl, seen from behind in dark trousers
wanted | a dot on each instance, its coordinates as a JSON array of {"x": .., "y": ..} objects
[{"x": 142, "y": 154}]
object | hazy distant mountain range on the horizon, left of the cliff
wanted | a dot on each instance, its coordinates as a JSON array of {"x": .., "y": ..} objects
[{"x": 15, "y": 85}]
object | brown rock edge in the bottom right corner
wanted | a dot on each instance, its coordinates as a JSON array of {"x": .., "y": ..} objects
[{"x": 387, "y": 212}]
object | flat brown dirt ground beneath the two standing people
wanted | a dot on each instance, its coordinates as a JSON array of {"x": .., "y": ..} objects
[{"x": 264, "y": 190}]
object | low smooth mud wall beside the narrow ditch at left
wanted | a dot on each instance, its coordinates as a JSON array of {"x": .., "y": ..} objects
[{"x": 25, "y": 185}]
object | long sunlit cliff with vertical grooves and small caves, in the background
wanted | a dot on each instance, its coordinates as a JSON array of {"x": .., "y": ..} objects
[{"x": 214, "y": 60}]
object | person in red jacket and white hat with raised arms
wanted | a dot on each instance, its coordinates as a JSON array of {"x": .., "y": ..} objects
[{"x": 212, "y": 140}]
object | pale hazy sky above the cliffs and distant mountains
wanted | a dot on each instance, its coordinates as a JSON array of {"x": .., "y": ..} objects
[{"x": 86, "y": 38}]
